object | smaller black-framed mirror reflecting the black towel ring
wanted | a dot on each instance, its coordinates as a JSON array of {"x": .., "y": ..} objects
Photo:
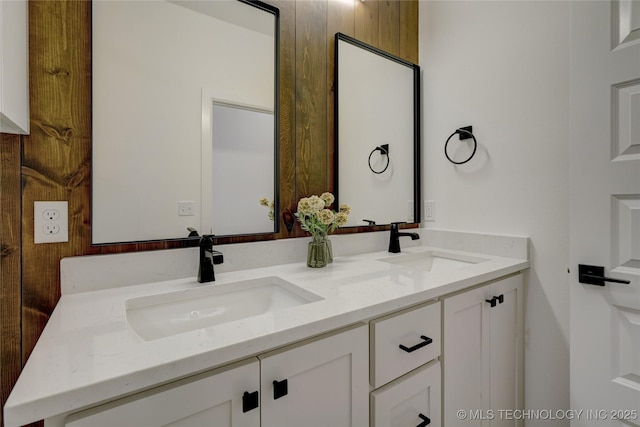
[{"x": 377, "y": 134}]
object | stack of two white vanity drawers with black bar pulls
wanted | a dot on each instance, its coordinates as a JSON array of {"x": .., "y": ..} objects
[{"x": 405, "y": 369}]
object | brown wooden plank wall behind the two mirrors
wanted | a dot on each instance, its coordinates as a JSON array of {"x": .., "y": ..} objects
[{"x": 53, "y": 163}]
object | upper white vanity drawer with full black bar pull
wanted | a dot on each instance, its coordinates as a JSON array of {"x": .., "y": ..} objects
[{"x": 400, "y": 342}]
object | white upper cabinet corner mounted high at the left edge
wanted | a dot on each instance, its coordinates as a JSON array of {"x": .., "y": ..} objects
[{"x": 14, "y": 67}]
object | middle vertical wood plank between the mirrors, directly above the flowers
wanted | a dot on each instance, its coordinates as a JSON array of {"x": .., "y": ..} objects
[{"x": 311, "y": 98}]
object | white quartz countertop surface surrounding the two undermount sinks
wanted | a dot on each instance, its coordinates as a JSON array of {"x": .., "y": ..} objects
[{"x": 89, "y": 354}]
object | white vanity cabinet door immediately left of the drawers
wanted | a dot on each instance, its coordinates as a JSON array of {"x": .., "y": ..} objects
[{"x": 318, "y": 383}]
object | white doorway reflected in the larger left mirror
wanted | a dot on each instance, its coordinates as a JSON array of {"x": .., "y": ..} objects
[{"x": 239, "y": 145}]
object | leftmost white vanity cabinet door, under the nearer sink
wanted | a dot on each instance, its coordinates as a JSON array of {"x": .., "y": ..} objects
[{"x": 214, "y": 399}]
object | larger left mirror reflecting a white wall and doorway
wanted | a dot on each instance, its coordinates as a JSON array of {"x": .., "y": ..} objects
[{"x": 153, "y": 64}]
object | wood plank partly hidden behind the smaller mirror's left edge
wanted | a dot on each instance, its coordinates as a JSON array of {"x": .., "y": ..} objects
[{"x": 340, "y": 19}]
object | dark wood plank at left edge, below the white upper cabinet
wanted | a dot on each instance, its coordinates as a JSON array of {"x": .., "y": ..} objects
[{"x": 10, "y": 299}]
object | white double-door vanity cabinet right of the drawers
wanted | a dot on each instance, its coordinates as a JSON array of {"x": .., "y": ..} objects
[{"x": 483, "y": 354}]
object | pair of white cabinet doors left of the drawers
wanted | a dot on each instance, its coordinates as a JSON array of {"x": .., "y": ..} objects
[{"x": 318, "y": 382}]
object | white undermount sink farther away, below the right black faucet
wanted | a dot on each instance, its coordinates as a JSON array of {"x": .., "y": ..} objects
[{"x": 433, "y": 261}]
